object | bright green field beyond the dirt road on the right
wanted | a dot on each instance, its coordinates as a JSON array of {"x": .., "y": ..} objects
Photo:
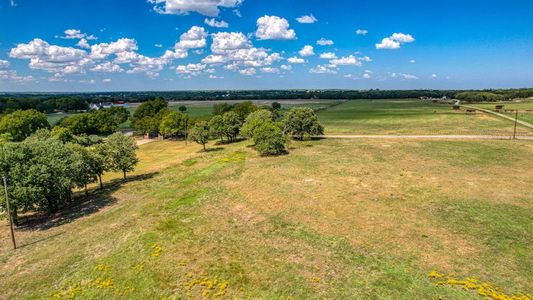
[{"x": 409, "y": 117}]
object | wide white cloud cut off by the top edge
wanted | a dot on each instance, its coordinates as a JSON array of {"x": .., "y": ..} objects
[{"x": 210, "y": 8}]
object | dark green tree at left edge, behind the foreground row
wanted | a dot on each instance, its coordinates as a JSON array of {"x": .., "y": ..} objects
[{"x": 21, "y": 124}]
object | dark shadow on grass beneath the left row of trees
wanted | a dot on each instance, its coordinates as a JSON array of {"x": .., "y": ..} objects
[{"x": 80, "y": 206}]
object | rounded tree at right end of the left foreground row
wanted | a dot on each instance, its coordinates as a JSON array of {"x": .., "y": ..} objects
[{"x": 120, "y": 153}]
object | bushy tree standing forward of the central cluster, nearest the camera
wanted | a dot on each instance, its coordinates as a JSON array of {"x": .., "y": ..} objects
[{"x": 269, "y": 139}]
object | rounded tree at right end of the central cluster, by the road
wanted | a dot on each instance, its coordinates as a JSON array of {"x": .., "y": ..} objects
[{"x": 301, "y": 122}]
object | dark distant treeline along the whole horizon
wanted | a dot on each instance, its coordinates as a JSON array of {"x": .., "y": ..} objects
[{"x": 80, "y": 101}]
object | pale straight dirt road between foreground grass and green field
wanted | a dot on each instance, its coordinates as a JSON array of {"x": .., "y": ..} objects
[{"x": 432, "y": 137}]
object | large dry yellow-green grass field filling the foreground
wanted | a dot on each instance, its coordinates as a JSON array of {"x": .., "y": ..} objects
[{"x": 334, "y": 219}]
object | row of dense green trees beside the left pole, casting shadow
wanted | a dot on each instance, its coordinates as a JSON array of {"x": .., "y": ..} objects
[{"x": 43, "y": 171}]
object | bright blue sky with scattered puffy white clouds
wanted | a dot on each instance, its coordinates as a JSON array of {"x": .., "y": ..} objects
[{"x": 109, "y": 45}]
